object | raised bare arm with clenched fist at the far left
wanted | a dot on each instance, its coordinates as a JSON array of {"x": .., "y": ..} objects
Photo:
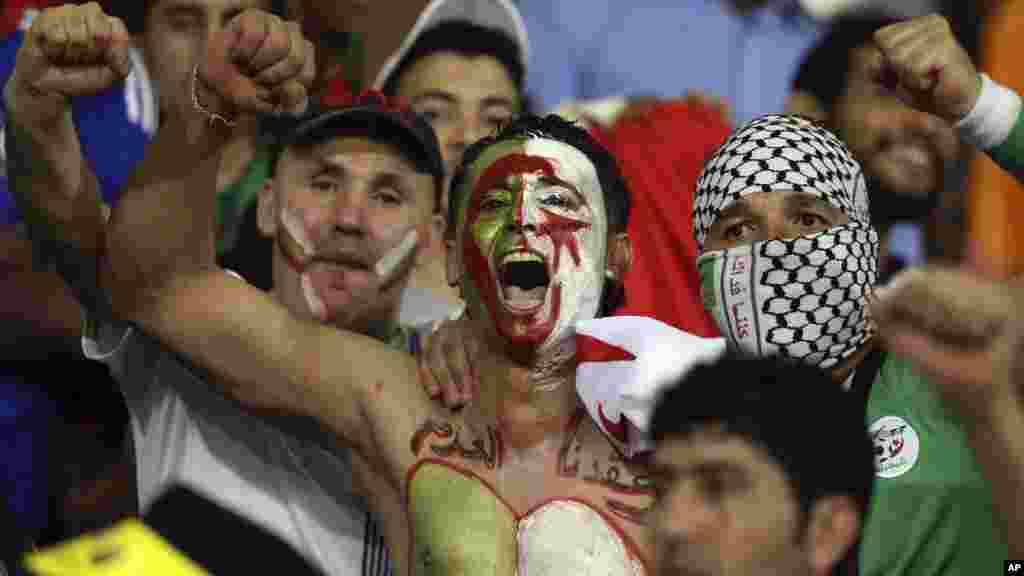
[{"x": 69, "y": 52}]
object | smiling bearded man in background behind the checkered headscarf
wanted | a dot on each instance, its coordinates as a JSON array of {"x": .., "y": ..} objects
[{"x": 906, "y": 153}]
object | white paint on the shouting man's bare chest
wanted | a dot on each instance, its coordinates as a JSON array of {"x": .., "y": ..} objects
[{"x": 568, "y": 538}]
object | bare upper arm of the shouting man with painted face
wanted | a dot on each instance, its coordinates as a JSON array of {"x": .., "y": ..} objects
[{"x": 265, "y": 357}]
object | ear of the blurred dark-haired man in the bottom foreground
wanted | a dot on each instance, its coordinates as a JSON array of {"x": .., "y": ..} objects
[{"x": 833, "y": 528}]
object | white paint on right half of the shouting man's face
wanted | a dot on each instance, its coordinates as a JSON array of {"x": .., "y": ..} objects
[{"x": 583, "y": 284}]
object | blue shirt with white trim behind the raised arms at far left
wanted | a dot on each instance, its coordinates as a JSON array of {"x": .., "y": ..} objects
[{"x": 110, "y": 128}]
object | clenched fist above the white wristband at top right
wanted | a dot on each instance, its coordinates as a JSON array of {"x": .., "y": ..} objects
[{"x": 924, "y": 59}]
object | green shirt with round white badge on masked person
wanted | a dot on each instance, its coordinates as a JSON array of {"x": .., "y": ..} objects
[{"x": 932, "y": 512}]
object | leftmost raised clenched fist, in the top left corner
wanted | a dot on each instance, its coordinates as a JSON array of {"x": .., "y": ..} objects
[{"x": 71, "y": 52}]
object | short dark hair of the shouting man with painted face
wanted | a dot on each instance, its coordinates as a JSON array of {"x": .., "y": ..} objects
[{"x": 617, "y": 194}]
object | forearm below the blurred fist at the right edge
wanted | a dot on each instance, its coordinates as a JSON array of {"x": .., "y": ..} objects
[{"x": 998, "y": 441}]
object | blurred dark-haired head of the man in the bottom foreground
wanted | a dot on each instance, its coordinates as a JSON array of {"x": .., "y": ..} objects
[{"x": 742, "y": 489}]
